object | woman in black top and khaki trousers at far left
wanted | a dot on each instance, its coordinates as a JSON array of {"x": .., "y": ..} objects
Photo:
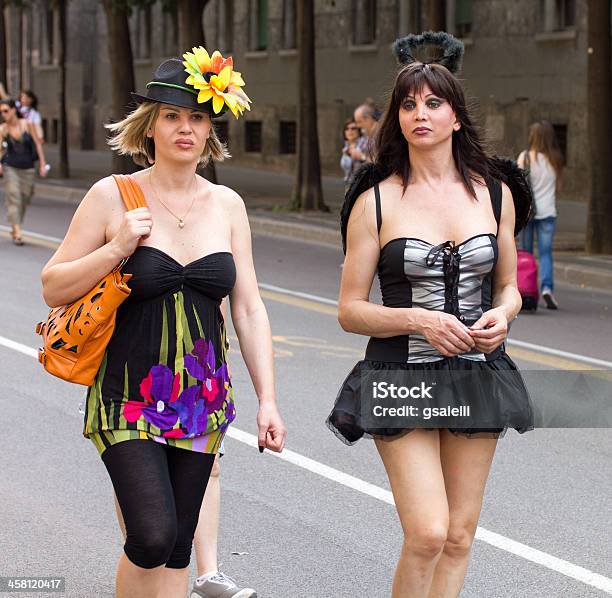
[{"x": 21, "y": 149}]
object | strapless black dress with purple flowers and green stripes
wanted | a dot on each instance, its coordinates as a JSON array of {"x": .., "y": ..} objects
[{"x": 164, "y": 376}]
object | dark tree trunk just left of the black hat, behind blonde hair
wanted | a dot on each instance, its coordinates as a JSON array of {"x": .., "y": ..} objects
[{"x": 122, "y": 71}]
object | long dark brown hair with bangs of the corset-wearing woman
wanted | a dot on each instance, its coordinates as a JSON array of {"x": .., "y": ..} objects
[{"x": 469, "y": 152}]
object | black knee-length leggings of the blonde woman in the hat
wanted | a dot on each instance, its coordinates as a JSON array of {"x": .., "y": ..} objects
[{"x": 160, "y": 490}]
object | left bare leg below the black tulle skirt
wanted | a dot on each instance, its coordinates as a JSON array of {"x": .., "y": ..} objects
[{"x": 413, "y": 466}]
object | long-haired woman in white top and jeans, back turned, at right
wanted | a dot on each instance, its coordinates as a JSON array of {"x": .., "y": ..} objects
[{"x": 544, "y": 162}]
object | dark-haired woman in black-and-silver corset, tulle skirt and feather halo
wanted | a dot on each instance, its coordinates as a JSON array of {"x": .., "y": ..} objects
[{"x": 432, "y": 216}]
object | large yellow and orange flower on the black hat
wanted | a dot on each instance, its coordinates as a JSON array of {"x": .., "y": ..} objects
[{"x": 215, "y": 79}]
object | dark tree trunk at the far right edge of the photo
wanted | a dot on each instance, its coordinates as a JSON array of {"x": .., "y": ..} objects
[{"x": 599, "y": 81}]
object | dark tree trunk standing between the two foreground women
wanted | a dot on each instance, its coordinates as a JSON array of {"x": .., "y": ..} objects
[{"x": 307, "y": 194}]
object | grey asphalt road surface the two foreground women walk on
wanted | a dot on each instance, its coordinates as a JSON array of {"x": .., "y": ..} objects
[{"x": 307, "y": 532}]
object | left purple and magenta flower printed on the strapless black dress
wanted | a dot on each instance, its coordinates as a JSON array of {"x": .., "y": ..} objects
[{"x": 159, "y": 390}]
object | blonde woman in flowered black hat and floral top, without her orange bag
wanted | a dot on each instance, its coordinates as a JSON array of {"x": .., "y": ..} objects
[{"x": 162, "y": 399}]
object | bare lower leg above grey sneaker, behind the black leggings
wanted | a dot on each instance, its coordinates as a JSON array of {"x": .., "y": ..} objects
[{"x": 207, "y": 532}]
